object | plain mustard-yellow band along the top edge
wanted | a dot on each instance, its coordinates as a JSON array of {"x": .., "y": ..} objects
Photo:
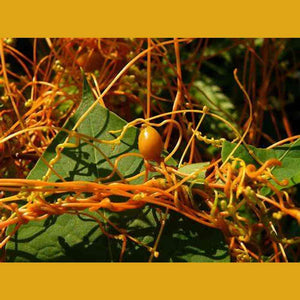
[{"x": 156, "y": 18}]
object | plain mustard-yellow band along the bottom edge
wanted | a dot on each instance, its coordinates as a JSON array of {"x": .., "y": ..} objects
[{"x": 148, "y": 281}]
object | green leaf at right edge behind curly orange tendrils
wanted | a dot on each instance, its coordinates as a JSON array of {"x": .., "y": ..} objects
[{"x": 288, "y": 154}]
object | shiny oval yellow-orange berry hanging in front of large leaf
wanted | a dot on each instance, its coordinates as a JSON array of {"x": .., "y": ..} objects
[{"x": 150, "y": 143}]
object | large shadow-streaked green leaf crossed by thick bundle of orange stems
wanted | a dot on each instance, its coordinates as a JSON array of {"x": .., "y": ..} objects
[{"x": 74, "y": 238}]
